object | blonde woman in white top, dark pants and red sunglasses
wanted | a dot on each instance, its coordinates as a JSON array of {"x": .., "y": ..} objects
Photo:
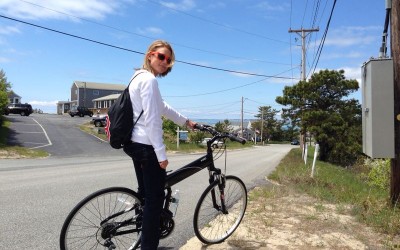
[{"x": 147, "y": 149}]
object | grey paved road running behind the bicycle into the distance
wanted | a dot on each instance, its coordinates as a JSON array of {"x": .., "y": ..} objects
[{"x": 37, "y": 195}]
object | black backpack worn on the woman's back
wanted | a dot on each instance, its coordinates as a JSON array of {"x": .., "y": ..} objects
[{"x": 119, "y": 120}]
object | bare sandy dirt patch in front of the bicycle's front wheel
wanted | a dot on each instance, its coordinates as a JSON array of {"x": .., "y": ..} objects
[{"x": 298, "y": 221}]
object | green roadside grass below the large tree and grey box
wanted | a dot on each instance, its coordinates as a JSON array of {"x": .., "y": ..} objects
[{"x": 334, "y": 184}]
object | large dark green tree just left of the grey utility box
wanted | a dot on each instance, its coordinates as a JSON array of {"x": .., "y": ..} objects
[{"x": 322, "y": 107}]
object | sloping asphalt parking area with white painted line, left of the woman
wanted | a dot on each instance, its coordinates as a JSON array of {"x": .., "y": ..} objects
[{"x": 57, "y": 134}]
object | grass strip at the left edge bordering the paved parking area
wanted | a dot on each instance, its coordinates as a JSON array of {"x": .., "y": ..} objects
[{"x": 7, "y": 151}]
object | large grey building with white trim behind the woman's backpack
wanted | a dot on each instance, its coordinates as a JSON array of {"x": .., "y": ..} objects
[{"x": 95, "y": 96}]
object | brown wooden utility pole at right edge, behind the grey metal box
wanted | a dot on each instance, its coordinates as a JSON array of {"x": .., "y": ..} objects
[{"x": 395, "y": 49}]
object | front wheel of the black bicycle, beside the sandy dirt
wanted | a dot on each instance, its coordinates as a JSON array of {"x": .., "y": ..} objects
[{"x": 213, "y": 225}]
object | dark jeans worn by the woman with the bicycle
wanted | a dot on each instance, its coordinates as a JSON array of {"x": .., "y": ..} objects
[{"x": 151, "y": 181}]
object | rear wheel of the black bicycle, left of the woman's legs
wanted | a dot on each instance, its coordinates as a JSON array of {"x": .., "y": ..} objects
[{"x": 82, "y": 229}]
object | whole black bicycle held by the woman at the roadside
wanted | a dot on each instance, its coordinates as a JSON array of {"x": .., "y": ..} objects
[{"x": 118, "y": 223}]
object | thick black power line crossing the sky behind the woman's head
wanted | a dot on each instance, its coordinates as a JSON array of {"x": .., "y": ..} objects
[{"x": 137, "y": 52}]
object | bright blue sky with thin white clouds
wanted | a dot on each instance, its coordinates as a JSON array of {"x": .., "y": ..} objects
[{"x": 231, "y": 55}]
